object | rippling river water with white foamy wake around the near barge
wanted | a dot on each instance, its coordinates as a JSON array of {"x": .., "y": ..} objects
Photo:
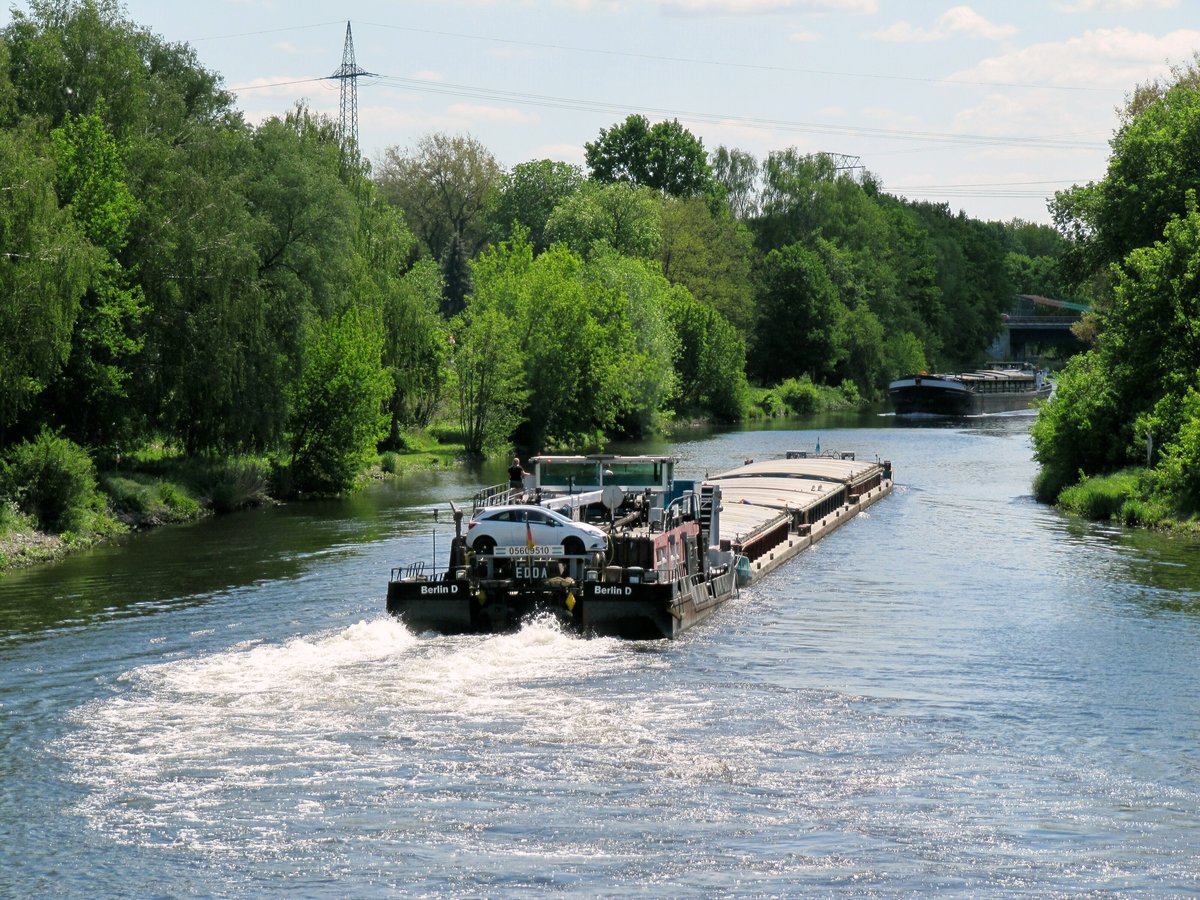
[{"x": 961, "y": 692}]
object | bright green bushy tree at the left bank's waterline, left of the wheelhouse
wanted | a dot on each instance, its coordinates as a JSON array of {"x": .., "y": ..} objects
[{"x": 337, "y": 419}]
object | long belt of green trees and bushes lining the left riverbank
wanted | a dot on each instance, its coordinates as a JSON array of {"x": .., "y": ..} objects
[{"x": 260, "y": 303}]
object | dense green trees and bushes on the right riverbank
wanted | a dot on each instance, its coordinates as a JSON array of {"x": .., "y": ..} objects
[{"x": 1133, "y": 400}]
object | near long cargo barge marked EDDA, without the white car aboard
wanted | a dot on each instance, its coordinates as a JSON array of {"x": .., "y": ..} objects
[{"x": 679, "y": 549}]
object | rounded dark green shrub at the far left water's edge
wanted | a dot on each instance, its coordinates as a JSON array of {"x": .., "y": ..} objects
[{"x": 55, "y": 481}]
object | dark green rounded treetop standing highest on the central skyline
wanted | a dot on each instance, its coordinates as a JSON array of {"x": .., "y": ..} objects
[{"x": 664, "y": 158}]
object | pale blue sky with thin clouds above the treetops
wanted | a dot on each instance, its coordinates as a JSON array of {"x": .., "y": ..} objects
[{"x": 989, "y": 107}]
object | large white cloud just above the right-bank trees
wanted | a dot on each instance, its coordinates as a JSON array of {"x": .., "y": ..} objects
[{"x": 1102, "y": 58}]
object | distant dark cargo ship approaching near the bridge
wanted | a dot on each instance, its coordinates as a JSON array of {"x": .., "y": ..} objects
[{"x": 1003, "y": 387}]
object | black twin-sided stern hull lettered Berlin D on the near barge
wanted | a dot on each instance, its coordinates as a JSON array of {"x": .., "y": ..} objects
[{"x": 631, "y": 611}]
